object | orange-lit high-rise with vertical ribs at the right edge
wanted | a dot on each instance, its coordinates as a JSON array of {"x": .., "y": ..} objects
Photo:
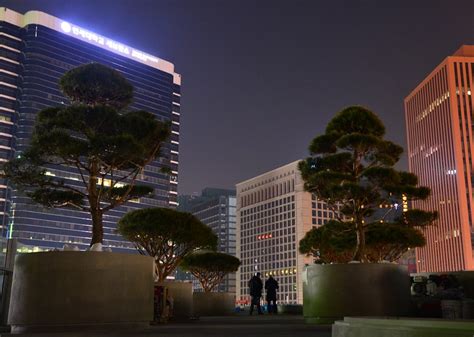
[{"x": 439, "y": 122}]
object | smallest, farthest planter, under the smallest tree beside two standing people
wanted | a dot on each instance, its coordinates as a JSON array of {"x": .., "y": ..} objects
[{"x": 213, "y": 304}]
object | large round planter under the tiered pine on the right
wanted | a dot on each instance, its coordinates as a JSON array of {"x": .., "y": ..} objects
[{"x": 331, "y": 292}]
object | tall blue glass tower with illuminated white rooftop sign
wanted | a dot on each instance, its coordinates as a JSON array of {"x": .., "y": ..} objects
[{"x": 36, "y": 49}]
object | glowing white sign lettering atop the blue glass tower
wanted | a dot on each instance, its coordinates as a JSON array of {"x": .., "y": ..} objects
[{"x": 106, "y": 43}]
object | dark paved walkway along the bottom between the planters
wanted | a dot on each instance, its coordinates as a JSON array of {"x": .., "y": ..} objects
[{"x": 239, "y": 326}]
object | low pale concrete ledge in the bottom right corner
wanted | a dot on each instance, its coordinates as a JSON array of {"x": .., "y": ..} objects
[{"x": 401, "y": 327}]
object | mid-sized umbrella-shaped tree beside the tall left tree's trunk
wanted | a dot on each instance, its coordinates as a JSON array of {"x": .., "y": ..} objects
[{"x": 167, "y": 235}]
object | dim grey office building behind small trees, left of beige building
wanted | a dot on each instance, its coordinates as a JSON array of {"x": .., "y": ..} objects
[{"x": 216, "y": 208}]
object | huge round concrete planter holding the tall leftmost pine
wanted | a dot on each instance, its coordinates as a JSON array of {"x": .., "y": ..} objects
[{"x": 70, "y": 290}]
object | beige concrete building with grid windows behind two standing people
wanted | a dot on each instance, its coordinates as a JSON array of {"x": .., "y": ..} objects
[{"x": 273, "y": 214}]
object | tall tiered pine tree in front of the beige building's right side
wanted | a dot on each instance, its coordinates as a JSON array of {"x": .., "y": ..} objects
[{"x": 351, "y": 170}]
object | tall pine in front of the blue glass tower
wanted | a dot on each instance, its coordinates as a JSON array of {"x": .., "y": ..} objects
[{"x": 102, "y": 143}]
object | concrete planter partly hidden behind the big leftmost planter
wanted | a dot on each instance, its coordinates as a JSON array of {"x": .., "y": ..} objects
[{"x": 182, "y": 294}]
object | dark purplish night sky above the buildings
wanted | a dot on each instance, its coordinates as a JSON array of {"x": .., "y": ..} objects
[{"x": 262, "y": 78}]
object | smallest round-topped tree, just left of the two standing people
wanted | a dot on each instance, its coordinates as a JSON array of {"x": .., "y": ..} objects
[{"x": 210, "y": 267}]
